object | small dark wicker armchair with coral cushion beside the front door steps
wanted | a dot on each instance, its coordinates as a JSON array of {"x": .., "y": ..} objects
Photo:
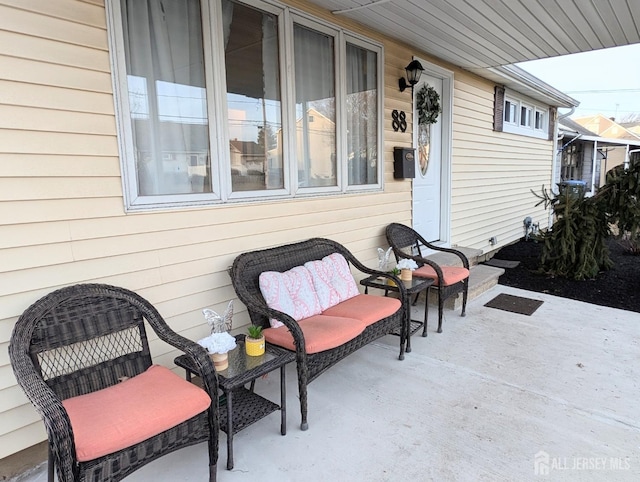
[{"x": 448, "y": 280}]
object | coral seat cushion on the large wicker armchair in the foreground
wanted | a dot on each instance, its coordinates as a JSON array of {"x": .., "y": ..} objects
[{"x": 134, "y": 410}]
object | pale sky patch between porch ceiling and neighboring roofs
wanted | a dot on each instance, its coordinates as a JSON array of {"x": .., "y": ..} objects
[{"x": 604, "y": 81}]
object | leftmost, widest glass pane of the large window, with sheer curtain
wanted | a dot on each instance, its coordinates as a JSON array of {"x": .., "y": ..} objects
[{"x": 167, "y": 97}]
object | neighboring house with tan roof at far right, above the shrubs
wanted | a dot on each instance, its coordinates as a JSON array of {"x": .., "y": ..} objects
[{"x": 612, "y": 141}]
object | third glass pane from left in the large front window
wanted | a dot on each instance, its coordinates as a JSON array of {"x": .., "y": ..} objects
[{"x": 315, "y": 108}]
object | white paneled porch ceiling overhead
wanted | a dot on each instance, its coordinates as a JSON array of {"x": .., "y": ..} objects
[{"x": 479, "y": 34}]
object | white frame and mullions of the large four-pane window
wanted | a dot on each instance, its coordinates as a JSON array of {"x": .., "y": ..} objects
[{"x": 215, "y": 82}]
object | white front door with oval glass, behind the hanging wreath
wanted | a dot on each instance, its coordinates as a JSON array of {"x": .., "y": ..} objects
[{"x": 427, "y": 185}]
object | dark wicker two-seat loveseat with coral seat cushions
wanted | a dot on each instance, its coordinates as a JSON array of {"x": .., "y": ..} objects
[{"x": 245, "y": 275}]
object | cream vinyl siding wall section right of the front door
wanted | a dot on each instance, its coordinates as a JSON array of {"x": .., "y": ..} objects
[{"x": 493, "y": 173}]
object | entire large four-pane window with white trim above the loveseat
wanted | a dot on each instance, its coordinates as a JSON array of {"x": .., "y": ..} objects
[{"x": 234, "y": 100}]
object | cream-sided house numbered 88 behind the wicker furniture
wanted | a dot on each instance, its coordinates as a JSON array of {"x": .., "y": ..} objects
[{"x": 120, "y": 162}]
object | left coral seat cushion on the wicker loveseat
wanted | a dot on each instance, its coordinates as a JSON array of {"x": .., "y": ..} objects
[{"x": 321, "y": 333}]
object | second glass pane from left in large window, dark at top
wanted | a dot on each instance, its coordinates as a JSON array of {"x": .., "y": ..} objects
[{"x": 253, "y": 98}]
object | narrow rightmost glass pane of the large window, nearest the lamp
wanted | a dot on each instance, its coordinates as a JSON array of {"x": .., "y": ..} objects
[{"x": 362, "y": 116}]
